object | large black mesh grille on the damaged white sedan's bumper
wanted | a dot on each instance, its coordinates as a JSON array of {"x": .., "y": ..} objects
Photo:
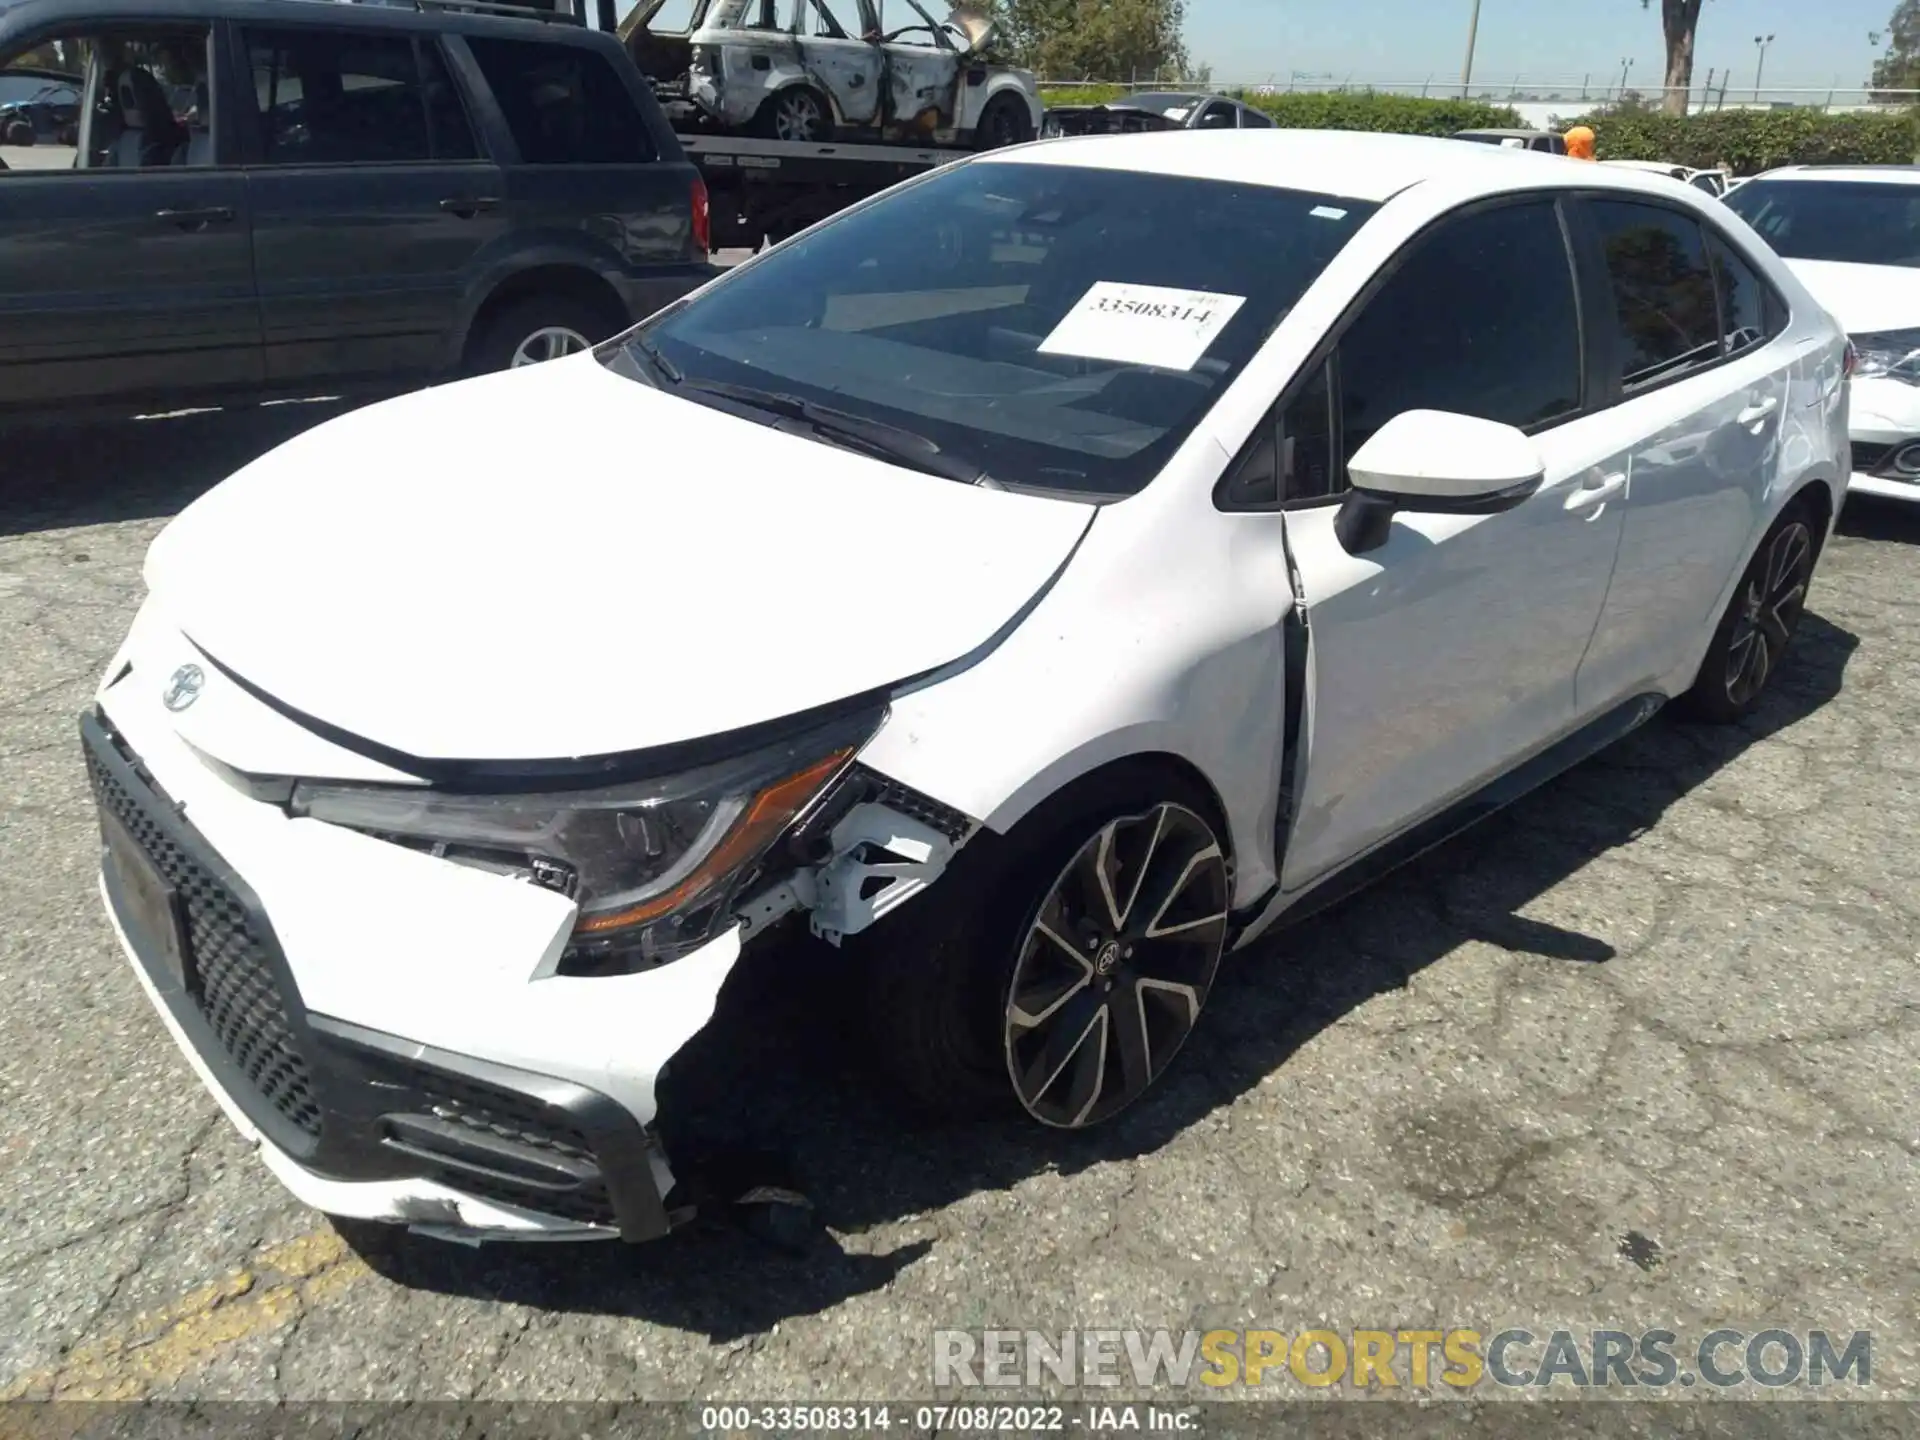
[{"x": 235, "y": 990}]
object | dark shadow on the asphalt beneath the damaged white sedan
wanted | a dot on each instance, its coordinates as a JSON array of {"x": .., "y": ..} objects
[{"x": 780, "y": 1068}]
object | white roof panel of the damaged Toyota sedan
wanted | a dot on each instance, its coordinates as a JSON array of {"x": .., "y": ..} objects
[{"x": 1353, "y": 164}]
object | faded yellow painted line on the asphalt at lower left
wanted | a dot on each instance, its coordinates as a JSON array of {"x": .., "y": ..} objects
[{"x": 158, "y": 1349}]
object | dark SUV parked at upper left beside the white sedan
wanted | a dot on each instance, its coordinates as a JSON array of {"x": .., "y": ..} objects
[{"x": 295, "y": 197}]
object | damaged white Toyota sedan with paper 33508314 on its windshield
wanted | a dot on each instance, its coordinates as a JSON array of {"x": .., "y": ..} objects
[{"x": 1205, "y": 525}]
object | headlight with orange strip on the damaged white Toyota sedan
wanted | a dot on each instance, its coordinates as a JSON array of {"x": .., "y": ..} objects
[{"x": 652, "y": 863}]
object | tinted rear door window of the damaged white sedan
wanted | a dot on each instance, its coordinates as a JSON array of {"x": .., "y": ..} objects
[{"x": 1662, "y": 291}]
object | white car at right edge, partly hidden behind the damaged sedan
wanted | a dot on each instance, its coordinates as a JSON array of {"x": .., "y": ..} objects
[{"x": 1854, "y": 239}]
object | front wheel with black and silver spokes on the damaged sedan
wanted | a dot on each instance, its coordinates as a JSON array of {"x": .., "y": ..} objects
[{"x": 980, "y": 1003}]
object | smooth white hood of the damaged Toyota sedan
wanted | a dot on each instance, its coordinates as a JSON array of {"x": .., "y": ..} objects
[{"x": 564, "y": 564}]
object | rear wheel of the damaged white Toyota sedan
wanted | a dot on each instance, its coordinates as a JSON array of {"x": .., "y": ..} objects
[{"x": 1760, "y": 621}]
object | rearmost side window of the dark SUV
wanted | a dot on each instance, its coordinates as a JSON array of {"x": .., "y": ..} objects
[{"x": 565, "y": 105}]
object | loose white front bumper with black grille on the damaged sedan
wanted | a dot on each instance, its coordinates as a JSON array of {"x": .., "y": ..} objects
[{"x": 542, "y": 1136}]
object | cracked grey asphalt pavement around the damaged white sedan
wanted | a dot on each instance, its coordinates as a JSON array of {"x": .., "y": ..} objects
[{"x": 1641, "y": 1053}]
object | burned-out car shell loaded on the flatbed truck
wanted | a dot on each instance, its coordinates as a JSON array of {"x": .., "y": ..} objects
[{"x": 817, "y": 70}]
